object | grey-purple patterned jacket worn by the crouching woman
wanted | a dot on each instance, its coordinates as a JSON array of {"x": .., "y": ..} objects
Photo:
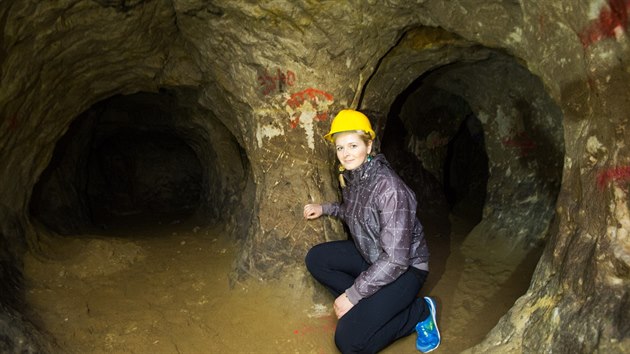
[{"x": 380, "y": 211}]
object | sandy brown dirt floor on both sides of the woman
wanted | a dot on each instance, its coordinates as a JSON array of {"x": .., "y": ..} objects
[{"x": 169, "y": 291}]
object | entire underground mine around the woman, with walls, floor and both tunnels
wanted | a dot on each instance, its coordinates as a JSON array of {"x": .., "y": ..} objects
[{"x": 156, "y": 156}]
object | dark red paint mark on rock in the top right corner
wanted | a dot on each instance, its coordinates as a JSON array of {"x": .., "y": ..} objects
[{"x": 612, "y": 20}]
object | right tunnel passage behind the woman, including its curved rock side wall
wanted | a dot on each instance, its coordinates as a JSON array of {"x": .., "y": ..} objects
[{"x": 481, "y": 137}]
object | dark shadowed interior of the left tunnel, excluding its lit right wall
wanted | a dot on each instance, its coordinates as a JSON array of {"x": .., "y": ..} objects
[{"x": 120, "y": 161}]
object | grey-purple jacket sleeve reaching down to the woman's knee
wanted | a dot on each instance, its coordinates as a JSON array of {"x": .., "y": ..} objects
[{"x": 397, "y": 210}]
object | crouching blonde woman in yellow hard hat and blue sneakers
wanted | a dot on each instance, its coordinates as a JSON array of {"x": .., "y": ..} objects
[{"x": 377, "y": 275}]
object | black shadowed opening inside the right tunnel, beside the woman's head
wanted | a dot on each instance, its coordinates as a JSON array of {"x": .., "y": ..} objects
[{"x": 458, "y": 184}]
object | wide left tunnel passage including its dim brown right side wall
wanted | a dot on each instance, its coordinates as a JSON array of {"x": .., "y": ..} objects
[{"x": 139, "y": 160}]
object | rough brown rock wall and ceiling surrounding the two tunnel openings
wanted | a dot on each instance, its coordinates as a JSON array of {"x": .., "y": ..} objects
[{"x": 273, "y": 74}]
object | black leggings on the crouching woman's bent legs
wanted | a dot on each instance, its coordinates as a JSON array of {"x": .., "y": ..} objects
[{"x": 376, "y": 321}]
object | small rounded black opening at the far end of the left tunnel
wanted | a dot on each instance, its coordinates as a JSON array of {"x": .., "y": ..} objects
[{"x": 149, "y": 176}]
